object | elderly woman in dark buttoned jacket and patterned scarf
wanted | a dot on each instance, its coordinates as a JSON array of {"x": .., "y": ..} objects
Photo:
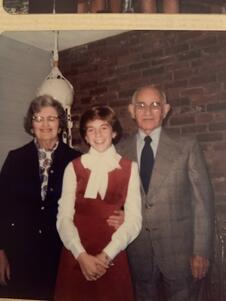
[{"x": 30, "y": 186}]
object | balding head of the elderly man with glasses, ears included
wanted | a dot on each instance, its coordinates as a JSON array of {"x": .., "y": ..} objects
[{"x": 149, "y": 109}]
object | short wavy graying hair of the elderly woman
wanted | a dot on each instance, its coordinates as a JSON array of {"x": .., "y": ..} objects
[{"x": 35, "y": 107}]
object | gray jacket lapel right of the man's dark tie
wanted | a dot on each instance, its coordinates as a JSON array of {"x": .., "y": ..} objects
[{"x": 167, "y": 154}]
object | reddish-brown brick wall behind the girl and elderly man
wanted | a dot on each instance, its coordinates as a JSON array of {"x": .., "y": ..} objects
[{"x": 189, "y": 65}]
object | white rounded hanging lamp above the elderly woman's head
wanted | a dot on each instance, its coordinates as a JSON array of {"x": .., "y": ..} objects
[{"x": 57, "y": 86}]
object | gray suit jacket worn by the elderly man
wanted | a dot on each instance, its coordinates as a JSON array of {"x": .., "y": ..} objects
[{"x": 177, "y": 210}]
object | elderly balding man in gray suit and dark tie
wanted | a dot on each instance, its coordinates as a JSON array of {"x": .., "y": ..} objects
[{"x": 171, "y": 256}]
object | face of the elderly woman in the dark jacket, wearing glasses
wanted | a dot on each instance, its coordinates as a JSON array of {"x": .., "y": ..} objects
[{"x": 46, "y": 125}]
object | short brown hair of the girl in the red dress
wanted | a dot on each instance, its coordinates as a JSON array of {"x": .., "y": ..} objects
[{"x": 105, "y": 113}]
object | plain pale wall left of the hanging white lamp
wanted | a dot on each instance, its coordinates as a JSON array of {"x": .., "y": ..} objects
[{"x": 22, "y": 70}]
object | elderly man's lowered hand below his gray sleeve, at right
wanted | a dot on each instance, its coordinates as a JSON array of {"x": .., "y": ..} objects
[{"x": 199, "y": 266}]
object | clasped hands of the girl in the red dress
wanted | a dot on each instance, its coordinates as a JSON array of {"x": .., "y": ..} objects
[{"x": 91, "y": 266}]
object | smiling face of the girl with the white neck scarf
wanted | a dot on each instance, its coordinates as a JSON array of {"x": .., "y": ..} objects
[{"x": 99, "y": 134}]
